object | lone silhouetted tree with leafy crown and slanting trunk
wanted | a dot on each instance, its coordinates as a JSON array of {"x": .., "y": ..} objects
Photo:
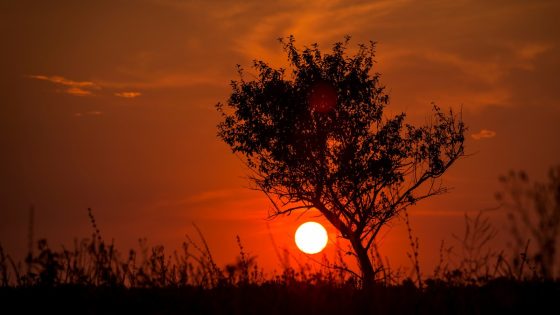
[{"x": 317, "y": 138}]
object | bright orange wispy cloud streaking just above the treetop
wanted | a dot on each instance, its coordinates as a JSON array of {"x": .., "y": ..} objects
[{"x": 309, "y": 22}]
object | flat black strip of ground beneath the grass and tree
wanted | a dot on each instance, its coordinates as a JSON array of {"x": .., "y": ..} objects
[{"x": 498, "y": 297}]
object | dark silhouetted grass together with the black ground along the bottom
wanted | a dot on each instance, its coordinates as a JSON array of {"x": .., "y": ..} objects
[{"x": 94, "y": 277}]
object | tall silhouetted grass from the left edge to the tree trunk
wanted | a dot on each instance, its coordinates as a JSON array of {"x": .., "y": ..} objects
[{"x": 95, "y": 262}]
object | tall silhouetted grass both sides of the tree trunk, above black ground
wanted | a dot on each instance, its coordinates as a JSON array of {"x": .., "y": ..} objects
[{"x": 95, "y": 262}]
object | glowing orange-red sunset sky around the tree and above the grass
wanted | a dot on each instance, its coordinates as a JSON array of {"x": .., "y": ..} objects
[{"x": 110, "y": 105}]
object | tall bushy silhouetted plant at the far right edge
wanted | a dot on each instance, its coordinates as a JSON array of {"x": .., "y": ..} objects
[{"x": 534, "y": 216}]
